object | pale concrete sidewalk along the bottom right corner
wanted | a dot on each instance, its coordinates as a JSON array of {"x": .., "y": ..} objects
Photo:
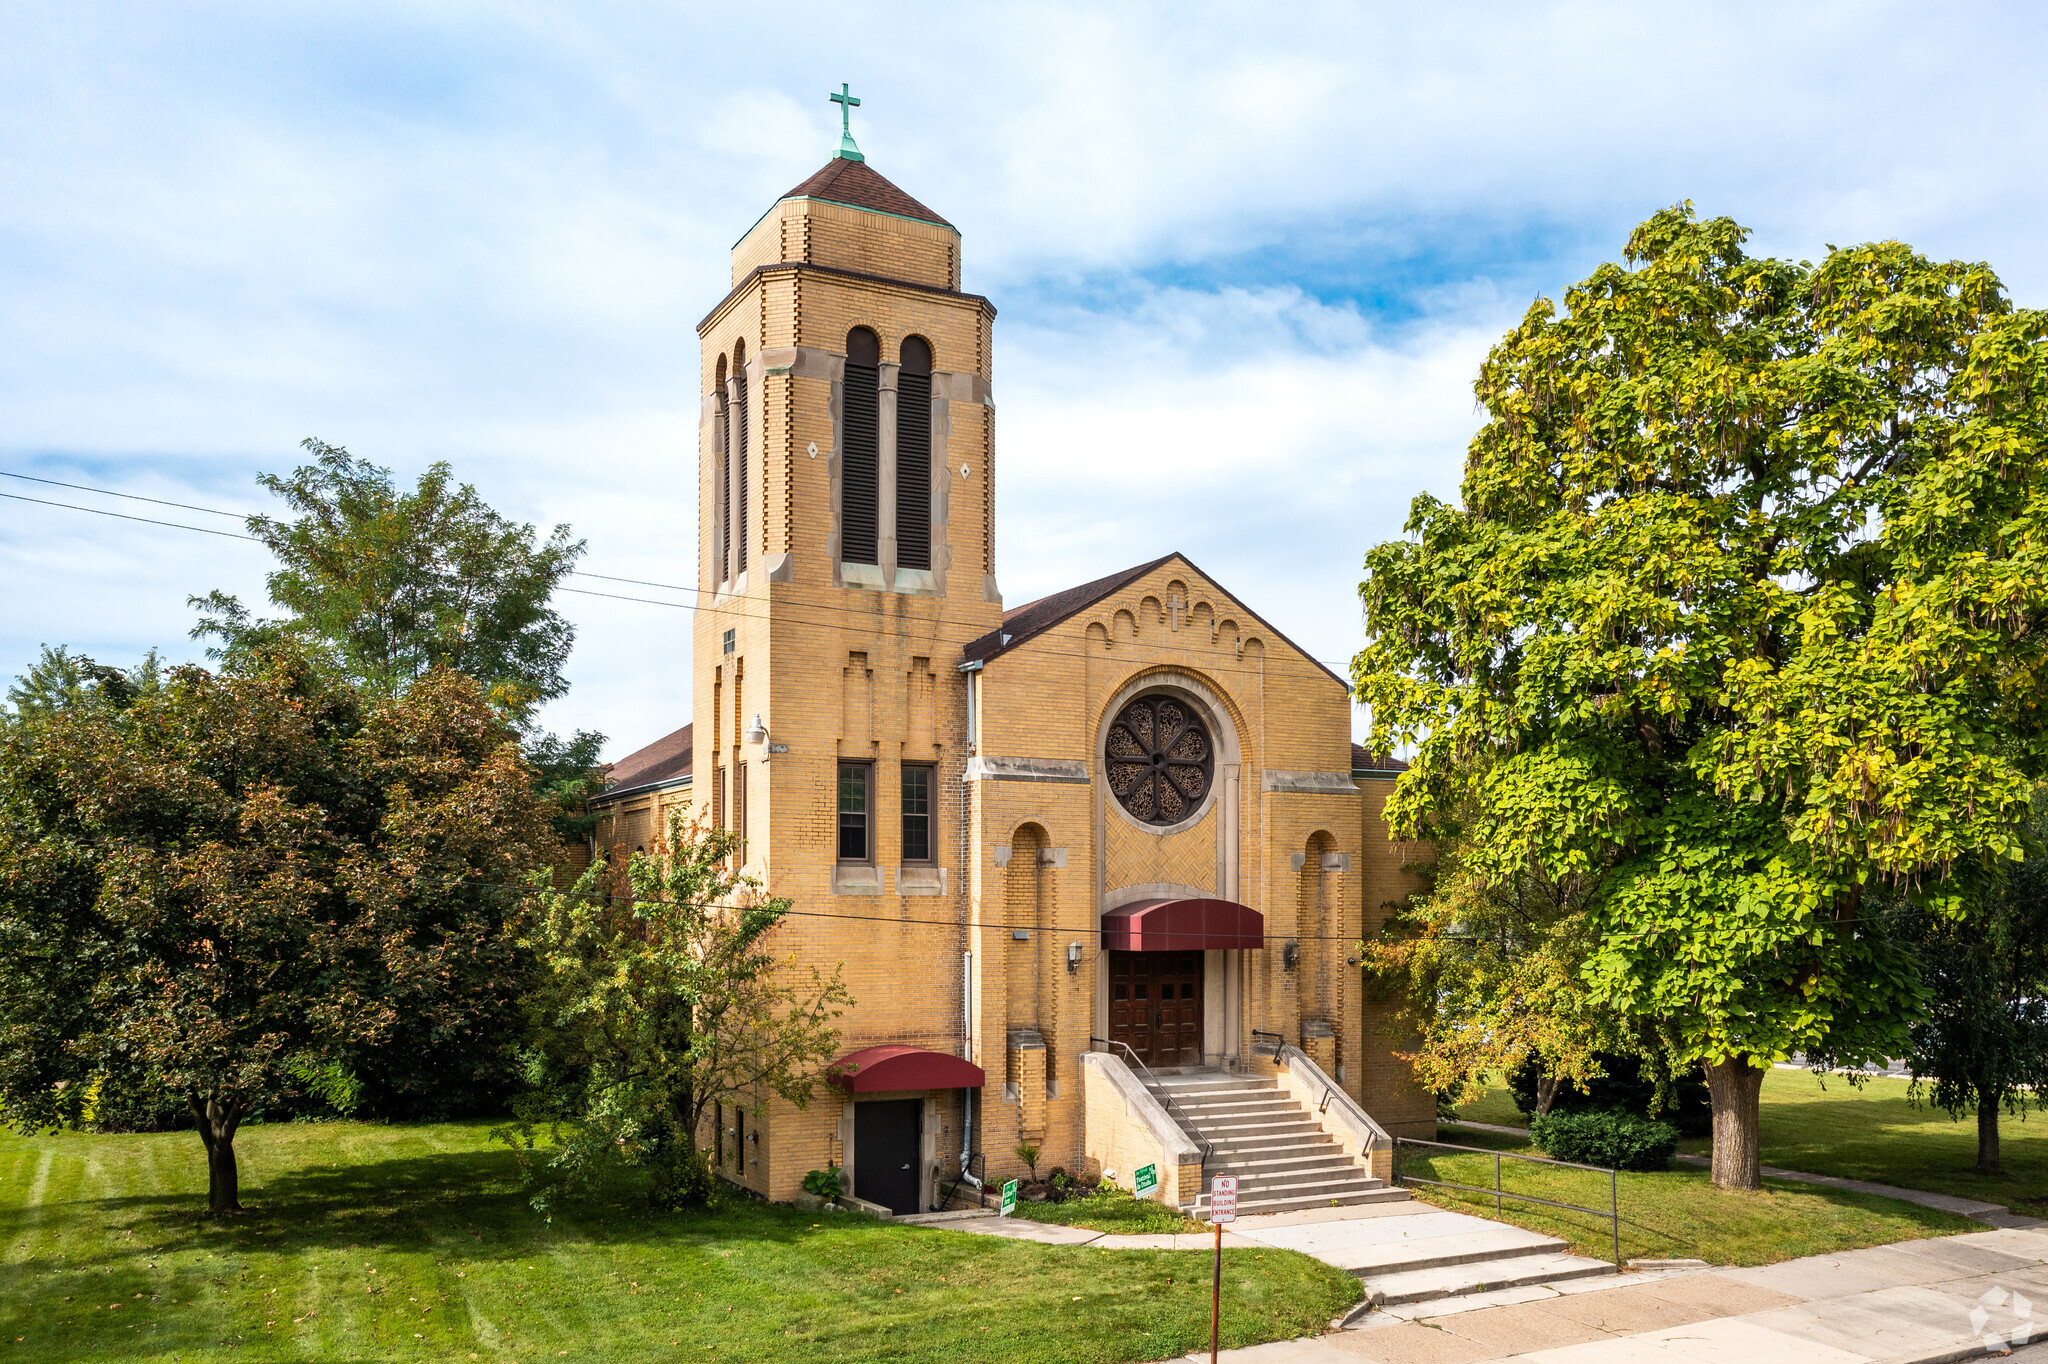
[{"x": 1910, "y": 1304}]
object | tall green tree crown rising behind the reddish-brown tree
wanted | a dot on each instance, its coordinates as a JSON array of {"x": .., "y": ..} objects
[{"x": 394, "y": 585}]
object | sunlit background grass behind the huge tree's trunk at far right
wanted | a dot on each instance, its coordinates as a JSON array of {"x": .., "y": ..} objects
[{"x": 1824, "y": 1125}]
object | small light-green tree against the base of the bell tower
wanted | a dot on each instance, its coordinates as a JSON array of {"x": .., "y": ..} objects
[{"x": 658, "y": 1007}]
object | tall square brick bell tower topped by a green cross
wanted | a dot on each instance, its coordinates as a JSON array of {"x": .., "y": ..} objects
[{"x": 847, "y": 554}]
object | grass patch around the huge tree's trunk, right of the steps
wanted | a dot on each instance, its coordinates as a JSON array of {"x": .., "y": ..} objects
[{"x": 1676, "y": 1216}]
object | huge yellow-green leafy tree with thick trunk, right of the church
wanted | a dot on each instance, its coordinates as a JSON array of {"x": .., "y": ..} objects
[{"x": 1744, "y": 605}]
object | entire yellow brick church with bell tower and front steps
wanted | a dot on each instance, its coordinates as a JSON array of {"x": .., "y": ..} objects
[{"x": 1097, "y": 865}]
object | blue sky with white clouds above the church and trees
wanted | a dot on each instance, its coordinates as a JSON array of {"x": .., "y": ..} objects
[{"x": 1246, "y": 259}]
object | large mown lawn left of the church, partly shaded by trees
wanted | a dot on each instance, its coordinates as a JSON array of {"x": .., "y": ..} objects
[{"x": 413, "y": 1244}]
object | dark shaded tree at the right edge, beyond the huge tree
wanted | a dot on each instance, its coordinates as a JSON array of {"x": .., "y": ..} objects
[{"x": 1986, "y": 1041}]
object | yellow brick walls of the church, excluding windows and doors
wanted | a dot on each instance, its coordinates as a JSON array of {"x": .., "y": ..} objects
[{"x": 992, "y": 951}]
